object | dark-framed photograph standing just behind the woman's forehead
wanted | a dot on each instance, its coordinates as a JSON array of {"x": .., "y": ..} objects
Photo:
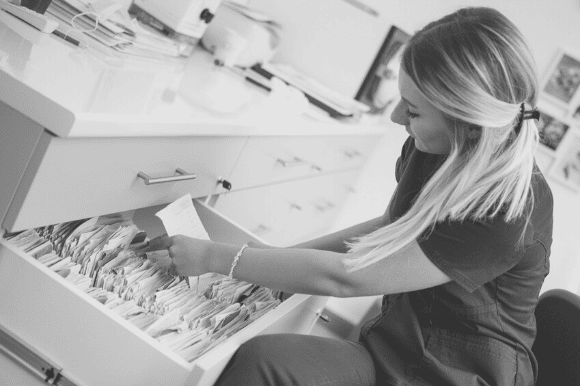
[{"x": 380, "y": 87}]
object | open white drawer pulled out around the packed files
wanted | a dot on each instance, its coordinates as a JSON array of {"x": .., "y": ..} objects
[{"x": 95, "y": 346}]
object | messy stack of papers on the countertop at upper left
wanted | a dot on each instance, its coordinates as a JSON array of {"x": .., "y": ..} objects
[{"x": 118, "y": 30}]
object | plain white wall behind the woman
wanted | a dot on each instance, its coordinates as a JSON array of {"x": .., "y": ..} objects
[{"x": 322, "y": 45}]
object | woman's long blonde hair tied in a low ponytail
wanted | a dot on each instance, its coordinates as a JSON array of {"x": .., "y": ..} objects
[{"x": 475, "y": 67}]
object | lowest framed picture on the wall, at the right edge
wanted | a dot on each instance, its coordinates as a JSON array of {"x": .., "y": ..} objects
[{"x": 566, "y": 166}]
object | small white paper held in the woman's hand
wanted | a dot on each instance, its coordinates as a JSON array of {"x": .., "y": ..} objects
[{"x": 181, "y": 218}]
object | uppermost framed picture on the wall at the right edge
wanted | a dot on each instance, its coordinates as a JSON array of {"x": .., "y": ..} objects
[{"x": 562, "y": 81}]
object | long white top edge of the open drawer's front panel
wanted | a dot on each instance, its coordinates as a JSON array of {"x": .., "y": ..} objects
[{"x": 95, "y": 304}]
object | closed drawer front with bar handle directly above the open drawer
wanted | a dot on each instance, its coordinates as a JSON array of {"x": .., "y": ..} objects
[{"x": 75, "y": 178}]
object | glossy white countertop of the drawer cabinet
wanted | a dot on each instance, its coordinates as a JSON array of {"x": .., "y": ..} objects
[{"x": 96, "y": 92}]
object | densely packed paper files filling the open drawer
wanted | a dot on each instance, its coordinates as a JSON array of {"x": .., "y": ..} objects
[{"x": 101, "y": 256}]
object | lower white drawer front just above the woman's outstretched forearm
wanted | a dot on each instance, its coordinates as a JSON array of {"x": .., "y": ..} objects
[{"x": 290, "y": 212}]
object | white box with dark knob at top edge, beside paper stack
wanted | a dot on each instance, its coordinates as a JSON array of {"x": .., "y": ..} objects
[{"x": 184, "y": 20}]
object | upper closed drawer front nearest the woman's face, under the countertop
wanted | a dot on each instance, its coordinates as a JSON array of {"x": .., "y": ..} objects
[{"x": 275, "y": 159}]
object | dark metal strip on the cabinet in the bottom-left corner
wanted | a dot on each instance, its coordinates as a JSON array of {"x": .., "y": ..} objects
[{"x": 30, "y": 359}]
